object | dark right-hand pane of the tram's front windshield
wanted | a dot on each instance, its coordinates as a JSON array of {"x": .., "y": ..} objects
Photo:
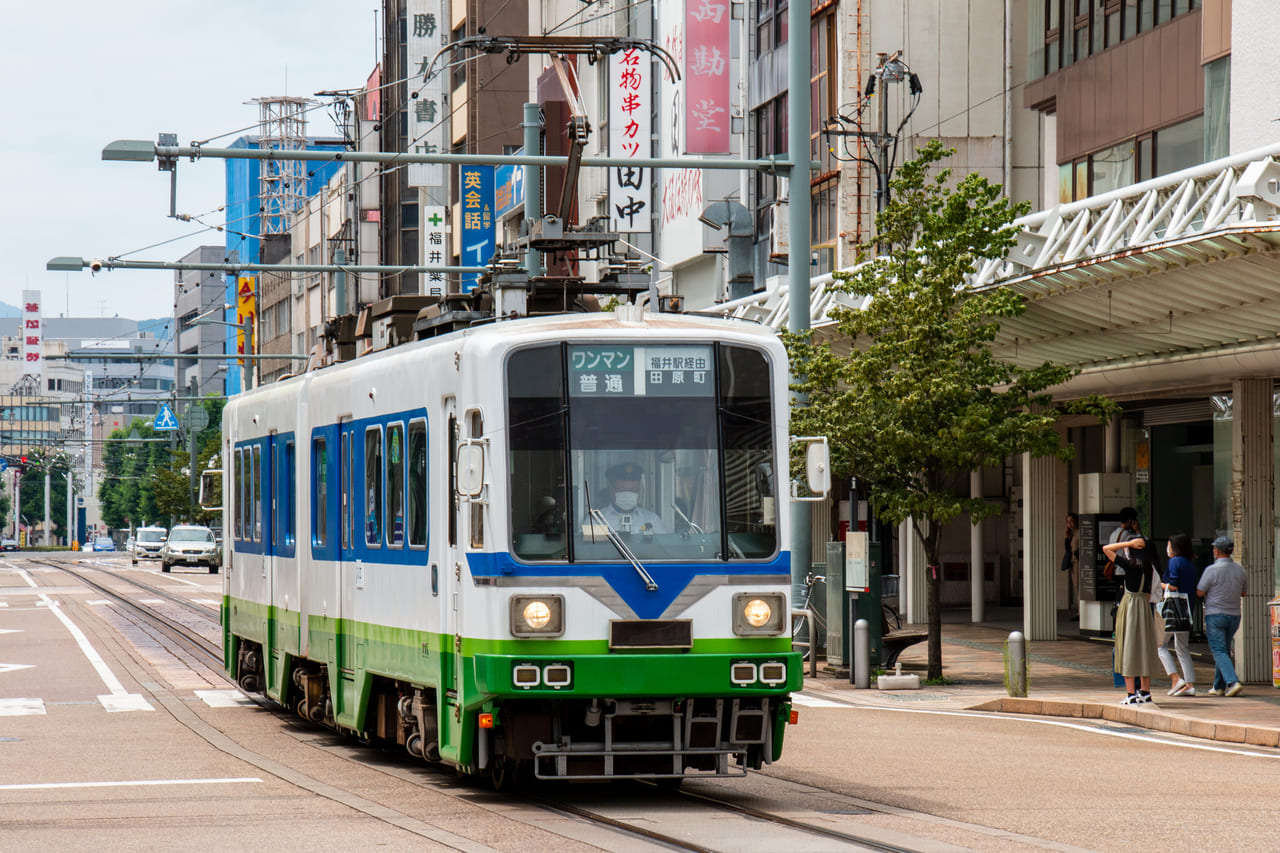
[{"x": 751, "y": 471}]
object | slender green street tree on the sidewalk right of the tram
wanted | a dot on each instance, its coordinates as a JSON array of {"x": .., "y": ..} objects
[{"x": 920, "y": 399}]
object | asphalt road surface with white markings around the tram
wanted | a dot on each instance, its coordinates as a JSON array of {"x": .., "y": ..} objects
[{"x": 180, "y": 764}]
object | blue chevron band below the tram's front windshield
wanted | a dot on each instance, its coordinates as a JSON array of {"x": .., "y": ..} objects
[{"x": 673, "y": 578}]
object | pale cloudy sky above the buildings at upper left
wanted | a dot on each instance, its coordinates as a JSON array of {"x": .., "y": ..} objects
[{"x": 83, "y": 74}]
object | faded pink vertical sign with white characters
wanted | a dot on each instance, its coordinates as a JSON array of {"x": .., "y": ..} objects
[{"x": 707, "y": 79}]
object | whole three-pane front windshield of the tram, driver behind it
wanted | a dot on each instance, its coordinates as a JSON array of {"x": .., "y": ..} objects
[{"x": 666, "y": 451}]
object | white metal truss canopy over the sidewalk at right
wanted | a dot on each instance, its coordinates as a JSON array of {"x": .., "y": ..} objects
[{"x": 1155, "y": 285}]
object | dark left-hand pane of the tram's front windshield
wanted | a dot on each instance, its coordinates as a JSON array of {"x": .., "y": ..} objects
[{"x": 536, "y": 428}]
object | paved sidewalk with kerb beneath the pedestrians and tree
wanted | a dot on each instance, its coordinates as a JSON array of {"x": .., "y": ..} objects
[{"x": 1067, "y": 678}]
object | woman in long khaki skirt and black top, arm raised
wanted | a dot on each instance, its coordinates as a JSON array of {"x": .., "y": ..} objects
[{"x": 1136, "y": 628}]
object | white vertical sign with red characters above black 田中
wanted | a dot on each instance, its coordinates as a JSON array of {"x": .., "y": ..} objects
[{"x": 630, "y": 130}]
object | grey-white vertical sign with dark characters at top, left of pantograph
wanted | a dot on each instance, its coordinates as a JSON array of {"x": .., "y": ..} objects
[{"x": 427, "y": 113}]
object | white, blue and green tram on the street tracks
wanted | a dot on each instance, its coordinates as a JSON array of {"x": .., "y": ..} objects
[{"x": 540, "y": 549}]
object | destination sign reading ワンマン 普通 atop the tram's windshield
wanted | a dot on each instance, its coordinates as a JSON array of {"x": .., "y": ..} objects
[{"x": 607, "y": 371}]
